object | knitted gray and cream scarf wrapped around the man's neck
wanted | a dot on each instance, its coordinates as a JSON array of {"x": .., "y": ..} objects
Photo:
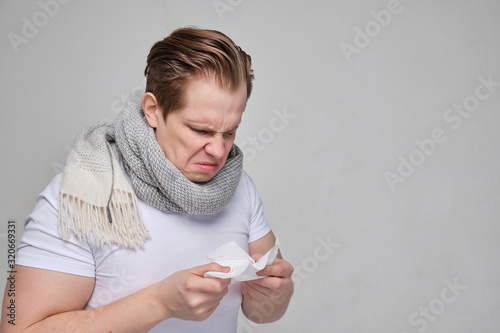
[{"x": 97, "y": 198}]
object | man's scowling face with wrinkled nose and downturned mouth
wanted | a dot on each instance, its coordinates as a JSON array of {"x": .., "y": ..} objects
[{"x": 197, "y": 137}]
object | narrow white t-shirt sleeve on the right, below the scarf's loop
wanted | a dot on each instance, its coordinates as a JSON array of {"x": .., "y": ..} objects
[{"x": 258, "y": 222}]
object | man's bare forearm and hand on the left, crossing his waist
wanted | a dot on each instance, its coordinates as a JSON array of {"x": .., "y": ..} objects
[{"x": 49, "y": 301}]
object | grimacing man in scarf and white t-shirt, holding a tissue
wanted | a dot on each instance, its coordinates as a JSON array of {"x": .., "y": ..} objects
[{"x": 118, "y": 242}]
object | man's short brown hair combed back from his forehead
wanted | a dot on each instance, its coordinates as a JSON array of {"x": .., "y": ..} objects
[{"x": 191, "y": 52}]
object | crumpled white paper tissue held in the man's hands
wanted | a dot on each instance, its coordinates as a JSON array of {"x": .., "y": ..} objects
[{"x": 243, "y": 267}]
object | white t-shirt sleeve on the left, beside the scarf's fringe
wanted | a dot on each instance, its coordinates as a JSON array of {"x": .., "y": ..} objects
[{"x": 40, "y": 245}]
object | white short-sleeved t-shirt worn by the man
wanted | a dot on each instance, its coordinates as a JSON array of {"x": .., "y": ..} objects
[{"x": 179, "y": 241}]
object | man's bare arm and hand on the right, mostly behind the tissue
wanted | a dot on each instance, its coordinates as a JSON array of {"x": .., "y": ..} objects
[{"x": 266, "y": 300}]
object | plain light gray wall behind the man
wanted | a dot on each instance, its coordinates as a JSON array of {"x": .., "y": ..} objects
[{"x": 348, "y": 96}]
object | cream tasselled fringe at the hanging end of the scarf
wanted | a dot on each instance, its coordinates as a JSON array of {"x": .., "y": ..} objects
[{"x": 84, "y": 219}]
